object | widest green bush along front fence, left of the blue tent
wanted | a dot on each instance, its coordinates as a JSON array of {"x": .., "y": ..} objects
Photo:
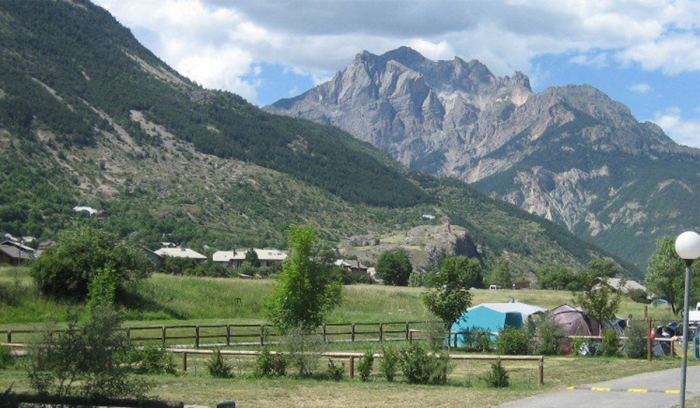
[{"x": 419, "y": 367}]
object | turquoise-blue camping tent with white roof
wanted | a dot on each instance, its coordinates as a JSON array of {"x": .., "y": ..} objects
[{"x": 492, "y": 317}]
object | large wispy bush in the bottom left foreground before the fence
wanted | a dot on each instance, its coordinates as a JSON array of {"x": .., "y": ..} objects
[{"x": 89, "y": 359}]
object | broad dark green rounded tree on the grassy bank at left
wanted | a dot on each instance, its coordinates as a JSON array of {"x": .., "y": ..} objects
[{"x": 67, "y": 269}]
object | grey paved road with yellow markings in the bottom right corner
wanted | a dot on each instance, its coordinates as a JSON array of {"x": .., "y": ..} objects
[{"x": 583, "y": 398}]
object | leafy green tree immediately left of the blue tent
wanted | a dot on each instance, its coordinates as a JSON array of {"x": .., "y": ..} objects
[{"x": 451, "y": 296}]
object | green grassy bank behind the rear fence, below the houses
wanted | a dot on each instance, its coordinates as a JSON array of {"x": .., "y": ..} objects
[{"x": 170, "y": 299}]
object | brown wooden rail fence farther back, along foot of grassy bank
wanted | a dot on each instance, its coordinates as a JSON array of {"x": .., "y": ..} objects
[{"x": 236, "y": 334}]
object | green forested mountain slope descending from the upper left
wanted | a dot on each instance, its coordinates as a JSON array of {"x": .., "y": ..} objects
[{"x": 90, "y": 117}]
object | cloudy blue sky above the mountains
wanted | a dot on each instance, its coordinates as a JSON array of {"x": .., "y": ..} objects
[{"x": 643, "y": 53}]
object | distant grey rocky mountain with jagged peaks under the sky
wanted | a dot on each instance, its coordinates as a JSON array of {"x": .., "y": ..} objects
[{"x": 570, "y": 154}]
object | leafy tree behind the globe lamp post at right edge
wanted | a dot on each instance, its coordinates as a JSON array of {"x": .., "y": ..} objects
[{"x": 666, "y": 275}]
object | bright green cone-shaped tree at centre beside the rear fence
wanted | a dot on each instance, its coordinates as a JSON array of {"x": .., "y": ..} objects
[{"x": 307, "y": 288}]
